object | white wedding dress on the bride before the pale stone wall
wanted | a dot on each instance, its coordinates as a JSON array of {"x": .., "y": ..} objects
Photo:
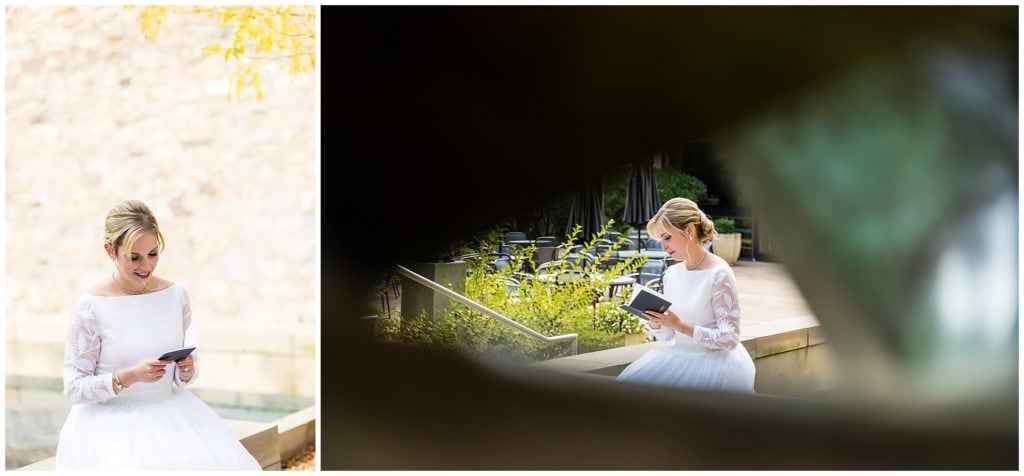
[{"x": 148, "y": 426}]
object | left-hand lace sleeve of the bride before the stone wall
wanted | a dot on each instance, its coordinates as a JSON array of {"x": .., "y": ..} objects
[{"x": 81, "y": 384}]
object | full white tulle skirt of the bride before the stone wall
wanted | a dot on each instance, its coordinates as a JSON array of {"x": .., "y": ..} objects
[{"x": 173, "y": 430}]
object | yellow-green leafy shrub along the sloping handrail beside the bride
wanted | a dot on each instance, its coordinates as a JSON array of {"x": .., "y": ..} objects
[{"x": 567, "y": 298}]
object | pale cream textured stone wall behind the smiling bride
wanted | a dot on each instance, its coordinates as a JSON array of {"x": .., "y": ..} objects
[{"x": 96, "y": 114}]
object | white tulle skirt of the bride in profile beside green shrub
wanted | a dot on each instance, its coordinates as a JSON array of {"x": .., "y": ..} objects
[{"x": 689, "y": 365}]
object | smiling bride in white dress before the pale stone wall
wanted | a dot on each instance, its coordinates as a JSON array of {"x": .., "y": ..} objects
[{"x": 132, "y": 411}]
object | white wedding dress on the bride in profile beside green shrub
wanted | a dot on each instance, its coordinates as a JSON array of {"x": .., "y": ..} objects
[{"x": 714, "y": 359}]
